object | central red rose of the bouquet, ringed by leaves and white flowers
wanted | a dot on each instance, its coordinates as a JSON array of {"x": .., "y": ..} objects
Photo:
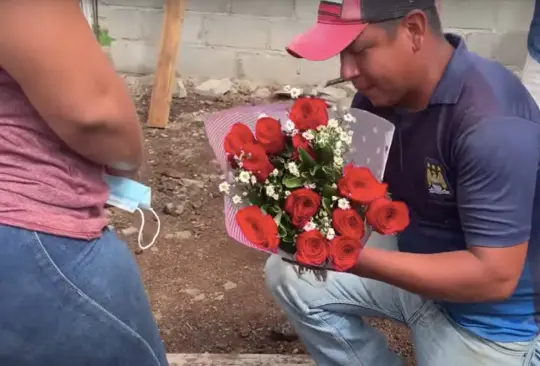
[{"x": 301, "y": 205}]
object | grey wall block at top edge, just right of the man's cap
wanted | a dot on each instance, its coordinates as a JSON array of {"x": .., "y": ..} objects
[{"x": 470, "y": 14}]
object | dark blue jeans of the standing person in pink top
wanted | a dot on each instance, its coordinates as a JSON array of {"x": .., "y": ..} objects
[{"x": 66, "y": 302}]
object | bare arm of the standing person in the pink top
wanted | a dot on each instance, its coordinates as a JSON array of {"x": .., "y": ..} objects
[{"x": 48, "y": 47}]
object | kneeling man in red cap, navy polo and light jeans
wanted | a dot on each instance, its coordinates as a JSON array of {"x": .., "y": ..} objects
[{"x": 465, "y": 275}]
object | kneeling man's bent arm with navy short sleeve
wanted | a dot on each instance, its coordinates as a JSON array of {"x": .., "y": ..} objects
[{"x": 498, "y": 161}]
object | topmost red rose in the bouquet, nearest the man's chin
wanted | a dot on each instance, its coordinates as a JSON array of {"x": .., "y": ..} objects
[{"x": 309, "y": 113}]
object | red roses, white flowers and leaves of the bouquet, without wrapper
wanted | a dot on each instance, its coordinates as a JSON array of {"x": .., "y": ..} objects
[{"x": 296, "y": 194}]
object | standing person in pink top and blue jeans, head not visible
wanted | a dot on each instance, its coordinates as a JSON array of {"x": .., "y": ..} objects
[{"x": 70, "y": 291}]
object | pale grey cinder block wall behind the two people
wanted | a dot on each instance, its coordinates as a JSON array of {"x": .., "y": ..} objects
[{"x": 246, "y": 38}]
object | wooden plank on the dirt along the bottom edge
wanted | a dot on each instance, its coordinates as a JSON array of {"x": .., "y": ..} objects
[{"x": 204, "y": 359}]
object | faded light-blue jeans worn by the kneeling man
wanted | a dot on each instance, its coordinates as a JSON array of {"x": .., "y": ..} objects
[{"x": 327, "y": 317}]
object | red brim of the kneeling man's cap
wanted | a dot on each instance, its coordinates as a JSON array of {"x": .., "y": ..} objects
[{"x": 324, "y": 41}]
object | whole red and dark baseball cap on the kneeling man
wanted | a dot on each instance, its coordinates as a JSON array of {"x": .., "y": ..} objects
[{"x": 340, "y": 22}]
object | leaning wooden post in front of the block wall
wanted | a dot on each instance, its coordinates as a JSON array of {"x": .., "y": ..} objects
[{"x": 160, "y": 103}]
